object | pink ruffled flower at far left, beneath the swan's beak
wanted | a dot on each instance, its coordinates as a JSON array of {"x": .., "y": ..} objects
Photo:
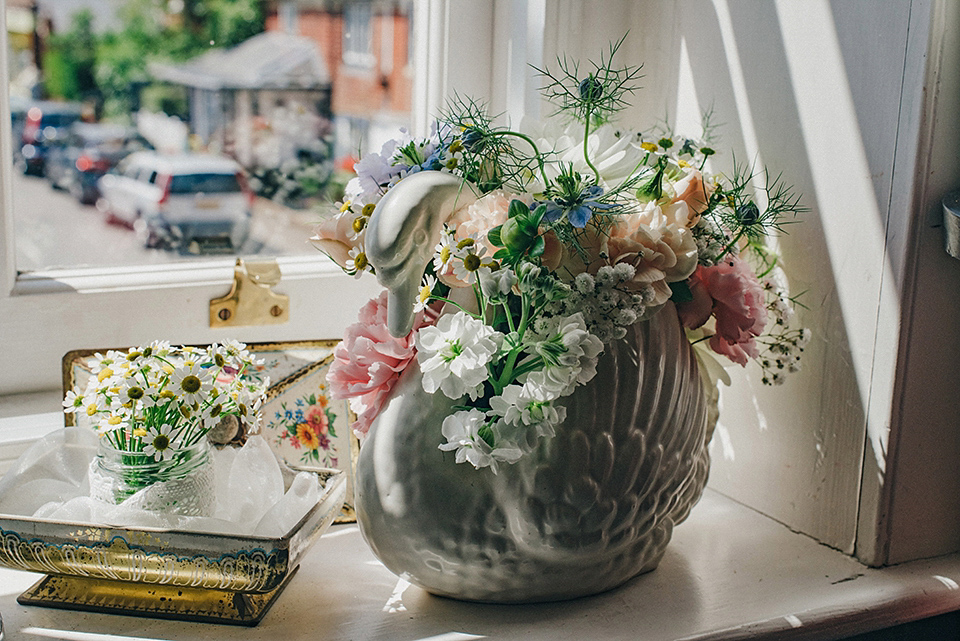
[{"x": 369, "y": 360}]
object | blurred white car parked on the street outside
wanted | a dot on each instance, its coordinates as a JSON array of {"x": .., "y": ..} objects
[{"x": 177, "y": 200}]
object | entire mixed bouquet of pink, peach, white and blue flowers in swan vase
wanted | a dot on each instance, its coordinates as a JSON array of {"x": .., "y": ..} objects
[{"x": 565, "y": 233}]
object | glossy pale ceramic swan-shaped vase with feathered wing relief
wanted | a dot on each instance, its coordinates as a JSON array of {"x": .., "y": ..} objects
[{"x": 591, "y": 508}]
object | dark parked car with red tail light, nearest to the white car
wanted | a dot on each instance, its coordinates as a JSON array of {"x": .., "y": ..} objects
[{"x": 87, "y": 152}]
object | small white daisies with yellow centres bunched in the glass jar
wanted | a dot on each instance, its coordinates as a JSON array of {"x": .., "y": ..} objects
[{"x": 158, "y": 400}]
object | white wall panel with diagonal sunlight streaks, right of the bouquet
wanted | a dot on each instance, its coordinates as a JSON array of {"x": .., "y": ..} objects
[{"x": 812, "y": 90}]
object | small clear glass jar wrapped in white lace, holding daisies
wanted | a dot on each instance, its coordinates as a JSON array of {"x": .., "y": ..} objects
[{"x": 181, "y": 484}]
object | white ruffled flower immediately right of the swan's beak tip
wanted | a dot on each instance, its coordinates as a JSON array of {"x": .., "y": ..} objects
[{"x": 453, "y": 354}]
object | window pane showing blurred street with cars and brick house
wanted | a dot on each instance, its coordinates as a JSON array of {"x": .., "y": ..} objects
[{"x": 127, "y": 97}]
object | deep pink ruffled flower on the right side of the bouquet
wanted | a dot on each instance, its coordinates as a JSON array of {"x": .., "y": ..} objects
[{"x": 732, "y": 294}]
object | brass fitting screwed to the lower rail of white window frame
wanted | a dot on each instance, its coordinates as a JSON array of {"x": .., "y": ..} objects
[{"x": 251, "y": 301}]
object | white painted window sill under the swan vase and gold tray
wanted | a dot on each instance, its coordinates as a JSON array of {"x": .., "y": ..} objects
[{"x": 729, "y": 573}]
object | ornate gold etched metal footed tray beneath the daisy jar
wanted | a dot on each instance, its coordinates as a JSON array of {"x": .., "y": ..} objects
[{"x": 170, "y": 574}]
